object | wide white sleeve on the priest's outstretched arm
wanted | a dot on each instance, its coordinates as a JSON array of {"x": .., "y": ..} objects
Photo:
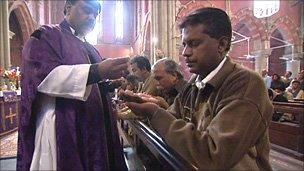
[{"x": 68, "y": 81}]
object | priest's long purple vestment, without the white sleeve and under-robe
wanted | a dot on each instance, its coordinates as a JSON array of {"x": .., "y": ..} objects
[{"x": 80, "y": 130}]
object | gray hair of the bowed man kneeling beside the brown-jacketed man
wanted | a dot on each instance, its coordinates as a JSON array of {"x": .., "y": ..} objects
[{"x": 171, "y": 67}]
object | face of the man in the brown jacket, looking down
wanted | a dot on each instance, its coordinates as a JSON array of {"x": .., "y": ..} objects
[{"x": 202, "y": 52}]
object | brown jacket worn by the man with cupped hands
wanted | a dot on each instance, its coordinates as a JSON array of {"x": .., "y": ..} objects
[{"x": 229, "y": 127}]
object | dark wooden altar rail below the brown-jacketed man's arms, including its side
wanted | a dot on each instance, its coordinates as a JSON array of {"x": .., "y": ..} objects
[{"x": 150, "y": 145}]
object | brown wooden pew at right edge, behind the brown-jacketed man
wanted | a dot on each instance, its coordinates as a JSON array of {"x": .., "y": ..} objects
[{"x": 287, "y": 137}]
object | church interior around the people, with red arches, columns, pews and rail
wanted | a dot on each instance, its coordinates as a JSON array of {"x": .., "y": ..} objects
[{"x": 267, "y": 38}]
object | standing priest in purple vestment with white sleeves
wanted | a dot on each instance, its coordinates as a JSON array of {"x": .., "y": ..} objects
[{"x": 66, "y": 117}]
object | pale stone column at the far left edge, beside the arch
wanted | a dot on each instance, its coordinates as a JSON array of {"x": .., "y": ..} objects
[{"x": 4, "y": 35}]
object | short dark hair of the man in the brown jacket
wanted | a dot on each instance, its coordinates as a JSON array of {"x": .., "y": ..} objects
[{"x": 216, "y": 22}]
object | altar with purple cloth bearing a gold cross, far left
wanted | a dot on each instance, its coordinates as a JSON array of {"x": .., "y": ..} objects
[{"x": 9, "y": 111}]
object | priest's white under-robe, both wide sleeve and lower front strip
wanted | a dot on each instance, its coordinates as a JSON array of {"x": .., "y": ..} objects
[{"x": 68, "y": 81}]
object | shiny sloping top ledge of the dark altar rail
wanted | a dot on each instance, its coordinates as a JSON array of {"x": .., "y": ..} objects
[{"x": 166, "y": 156}]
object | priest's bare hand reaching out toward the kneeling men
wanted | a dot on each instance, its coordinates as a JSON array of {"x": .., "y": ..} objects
[{"x": 113, "y": 68}]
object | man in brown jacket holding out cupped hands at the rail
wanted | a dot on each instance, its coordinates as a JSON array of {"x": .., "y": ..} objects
[{"x": 220, "y": 120}]
